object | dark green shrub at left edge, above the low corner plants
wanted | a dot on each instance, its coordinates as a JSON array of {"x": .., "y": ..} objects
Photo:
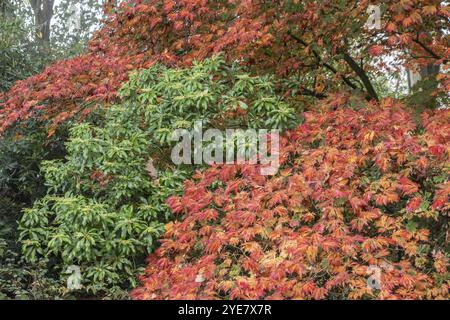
[{"x": 22, "y": 149}]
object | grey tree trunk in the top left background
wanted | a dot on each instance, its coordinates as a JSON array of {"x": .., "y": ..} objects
[{"x": 43, "y": 14}]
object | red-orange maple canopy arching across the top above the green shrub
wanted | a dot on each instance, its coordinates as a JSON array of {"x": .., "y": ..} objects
[{"x": 315, "y": 38}]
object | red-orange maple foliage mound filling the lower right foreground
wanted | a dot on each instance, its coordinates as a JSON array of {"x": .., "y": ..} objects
[{"x": 360, "y": 187}]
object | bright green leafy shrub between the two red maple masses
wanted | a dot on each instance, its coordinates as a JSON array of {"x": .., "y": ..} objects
[{"x": 106, "y": 205}]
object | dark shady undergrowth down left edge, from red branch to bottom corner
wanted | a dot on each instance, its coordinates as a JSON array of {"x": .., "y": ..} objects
[{"x": 22, "y": 149}]
